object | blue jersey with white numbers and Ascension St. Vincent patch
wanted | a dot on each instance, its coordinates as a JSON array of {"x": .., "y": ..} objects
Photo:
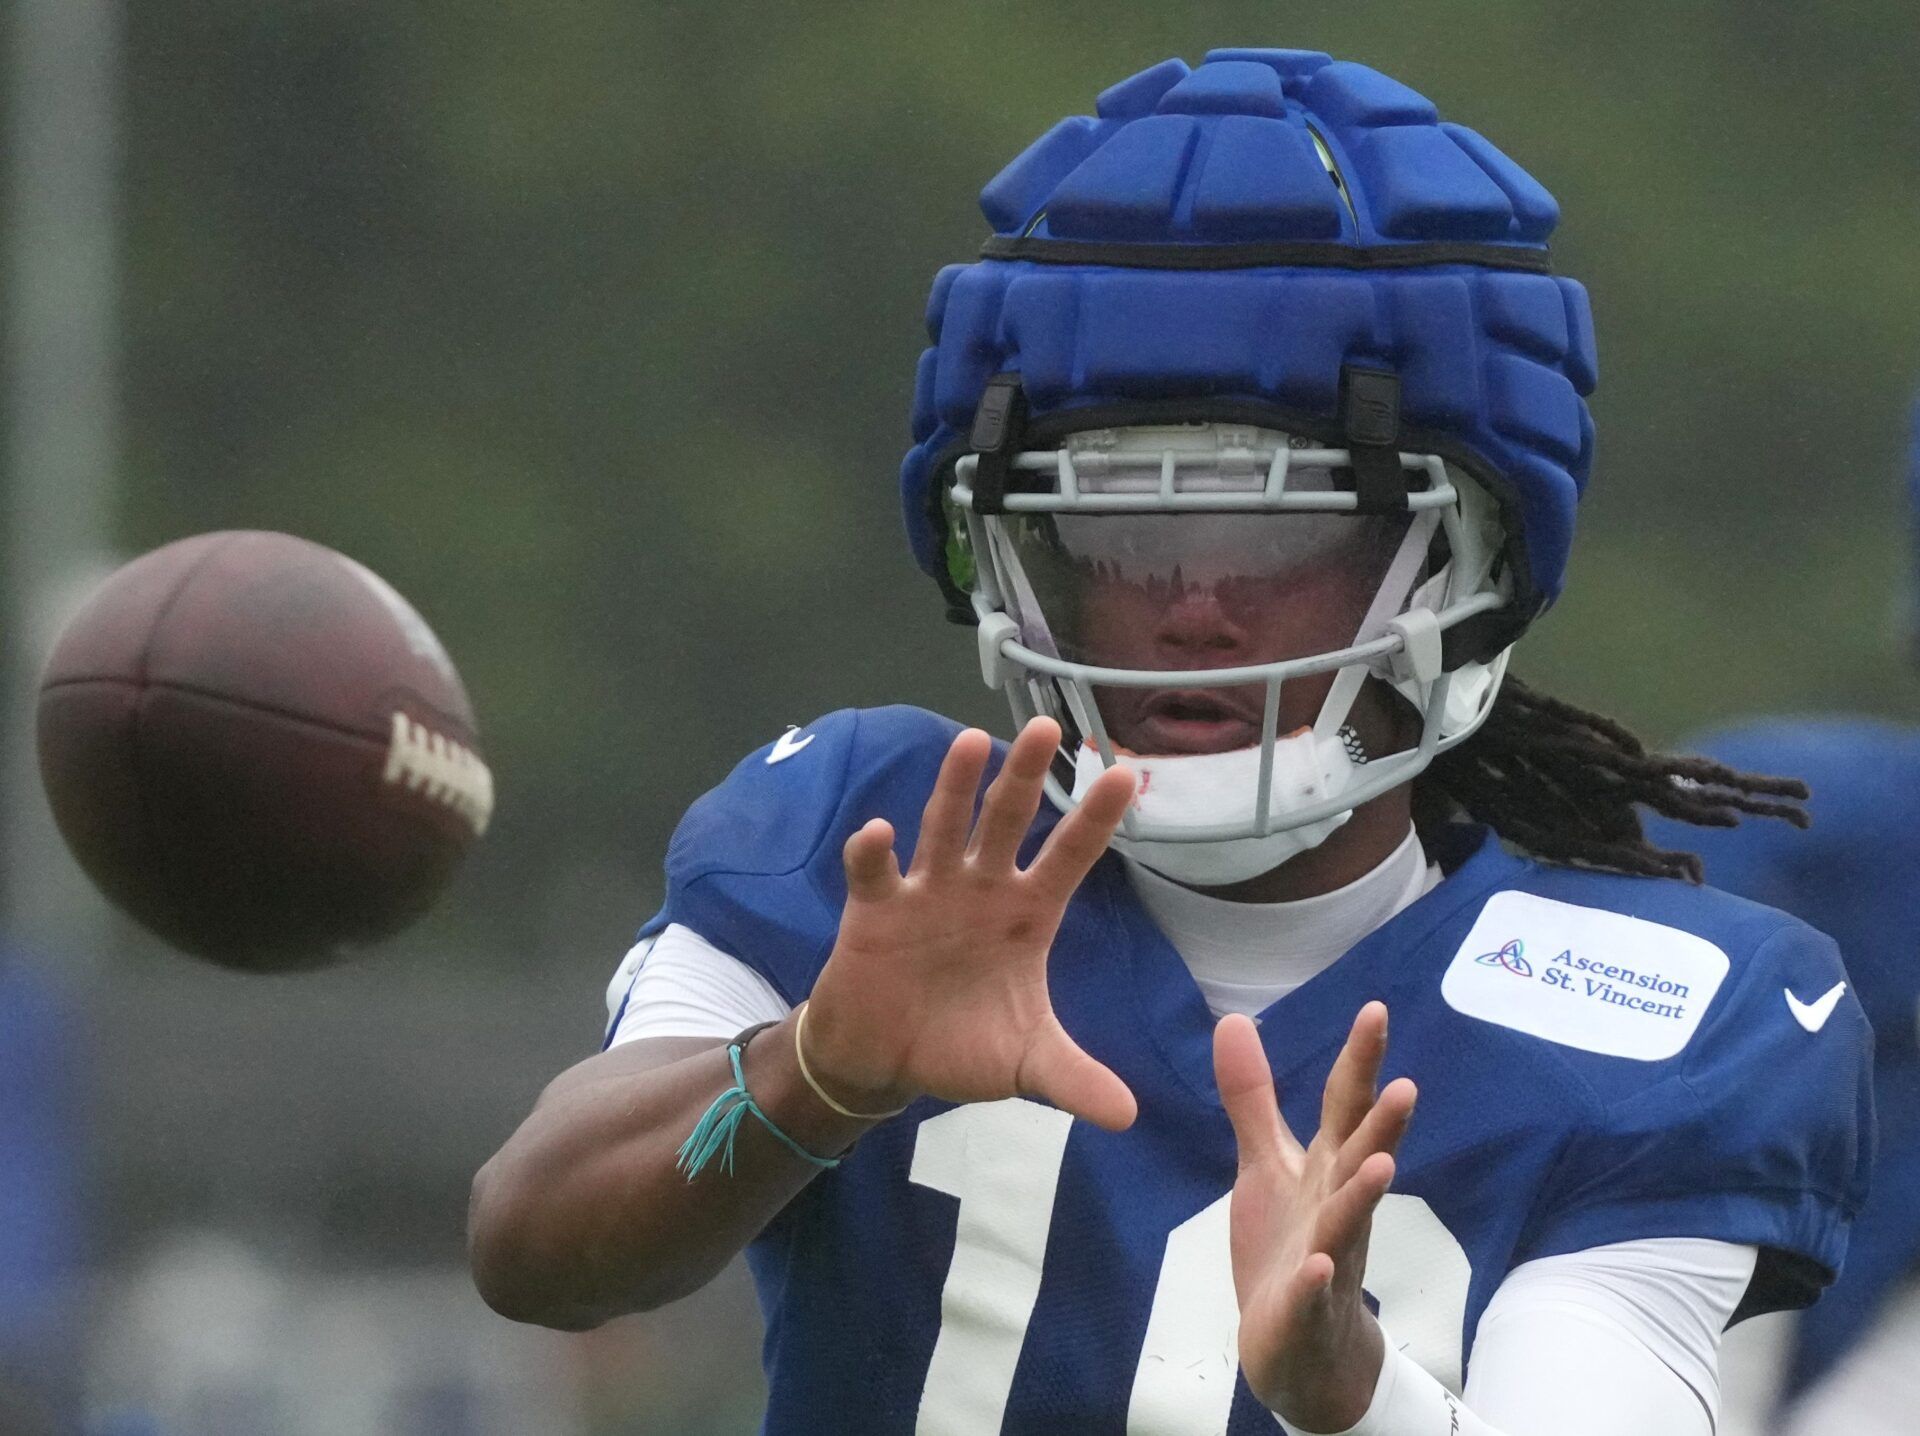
[{"x": 1600, "y": 1059}]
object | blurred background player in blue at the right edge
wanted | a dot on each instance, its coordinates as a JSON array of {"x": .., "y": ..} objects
[{"x": 1850, "y": 1362}]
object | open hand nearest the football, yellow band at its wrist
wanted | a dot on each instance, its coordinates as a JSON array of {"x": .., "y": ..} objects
[{"x": 938, "y": 984}]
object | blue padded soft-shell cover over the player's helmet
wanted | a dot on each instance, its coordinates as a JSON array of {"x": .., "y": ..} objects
[{"x": 1495, "y": 362}]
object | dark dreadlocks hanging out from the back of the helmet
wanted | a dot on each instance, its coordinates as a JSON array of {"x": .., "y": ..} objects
[{"x": 1564, "y": 784}]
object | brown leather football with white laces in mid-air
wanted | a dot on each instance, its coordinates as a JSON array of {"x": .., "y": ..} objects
[{"x": 260, "y": 752}]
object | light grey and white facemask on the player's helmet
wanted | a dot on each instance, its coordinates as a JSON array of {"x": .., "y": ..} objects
[{"x": 1197, "y": 817}]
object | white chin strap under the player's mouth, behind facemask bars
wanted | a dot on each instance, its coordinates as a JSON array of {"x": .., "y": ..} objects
[{"x": 1199, "y": 790}]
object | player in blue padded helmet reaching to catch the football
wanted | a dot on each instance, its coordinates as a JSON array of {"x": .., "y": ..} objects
[{"x": 1251, "y": 444}]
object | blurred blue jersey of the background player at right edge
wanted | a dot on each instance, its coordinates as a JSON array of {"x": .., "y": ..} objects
[{"x": 1856, "y": 874}]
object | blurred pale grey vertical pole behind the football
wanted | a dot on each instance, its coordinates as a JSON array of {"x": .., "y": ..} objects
[{"x": 62, "y": 423}]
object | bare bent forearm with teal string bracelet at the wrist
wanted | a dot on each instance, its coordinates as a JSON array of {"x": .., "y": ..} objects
[{"x": 585, "y": 1214}]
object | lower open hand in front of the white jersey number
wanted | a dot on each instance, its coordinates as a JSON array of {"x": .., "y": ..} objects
[{"x": 1301, "y": 1218}]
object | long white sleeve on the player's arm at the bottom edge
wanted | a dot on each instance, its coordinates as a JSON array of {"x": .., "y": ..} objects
[{"x": 1614, "y": 1341}]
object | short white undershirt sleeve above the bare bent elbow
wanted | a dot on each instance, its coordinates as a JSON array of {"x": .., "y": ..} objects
[{"x": 677, "y": 984}]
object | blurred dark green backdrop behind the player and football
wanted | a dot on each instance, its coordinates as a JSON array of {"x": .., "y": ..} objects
[{"x": 592, "y": 327}]
